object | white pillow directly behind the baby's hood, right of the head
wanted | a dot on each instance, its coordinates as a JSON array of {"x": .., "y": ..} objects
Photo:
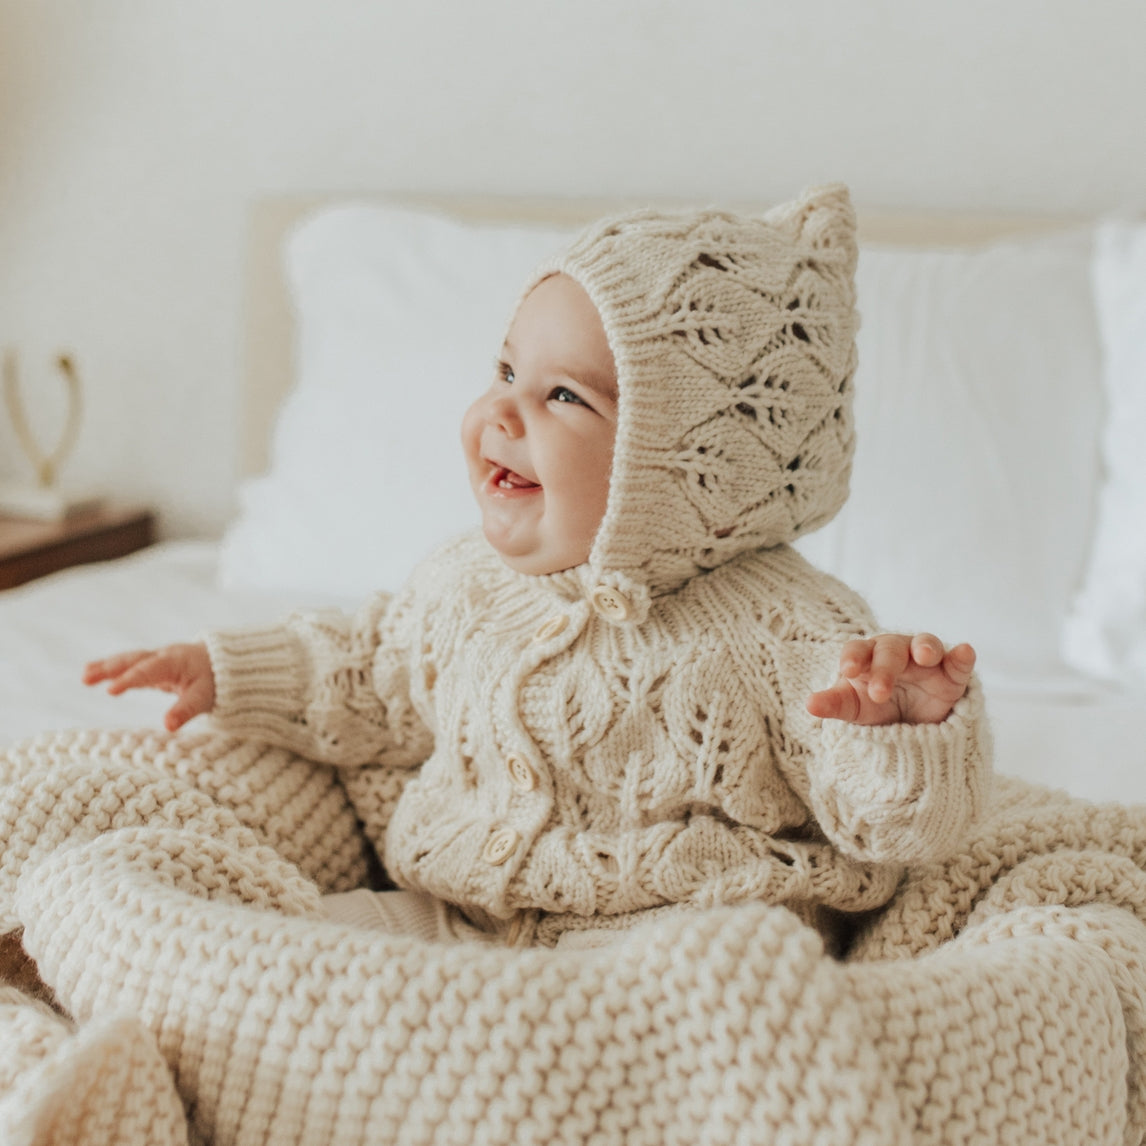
[{"x": 978, "y": 411}]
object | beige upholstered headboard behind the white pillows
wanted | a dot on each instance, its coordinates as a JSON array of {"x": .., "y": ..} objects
[{"x": 270, "y": 324}]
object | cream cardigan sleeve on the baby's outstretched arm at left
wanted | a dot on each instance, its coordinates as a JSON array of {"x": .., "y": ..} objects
[{"x": 331, "y": 687}]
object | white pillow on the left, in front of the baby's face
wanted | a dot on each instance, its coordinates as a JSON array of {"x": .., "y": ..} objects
[{"x": 401, "y": 316}]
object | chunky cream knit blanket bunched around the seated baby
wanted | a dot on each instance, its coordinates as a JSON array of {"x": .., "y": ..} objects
[{"x": 169, "y": 890}]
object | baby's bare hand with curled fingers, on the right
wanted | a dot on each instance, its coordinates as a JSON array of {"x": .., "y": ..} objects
[{"x": 891, "y": 679}]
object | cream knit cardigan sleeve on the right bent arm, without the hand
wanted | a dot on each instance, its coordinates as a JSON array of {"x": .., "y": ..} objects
[{"x": 893, "y": 794}]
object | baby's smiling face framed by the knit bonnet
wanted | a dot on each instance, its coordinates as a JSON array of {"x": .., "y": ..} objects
[{"x": 539, "y": 444}]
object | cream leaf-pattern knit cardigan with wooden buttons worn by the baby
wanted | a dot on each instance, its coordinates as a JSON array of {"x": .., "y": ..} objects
[{"x": 559, "y": 766}]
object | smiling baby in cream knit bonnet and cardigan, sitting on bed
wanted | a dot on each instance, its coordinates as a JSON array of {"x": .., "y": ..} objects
[{"x": 629, "y": 695}]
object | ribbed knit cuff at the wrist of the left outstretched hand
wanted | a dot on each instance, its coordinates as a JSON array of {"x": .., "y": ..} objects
[{"x": 261, "y": 679}]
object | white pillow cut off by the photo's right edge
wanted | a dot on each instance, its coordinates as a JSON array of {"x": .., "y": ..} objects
[{"x": 1106, "y": 631}]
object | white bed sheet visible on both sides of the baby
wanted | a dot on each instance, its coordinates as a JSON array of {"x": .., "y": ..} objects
[{"x": 1094, "y": 745}]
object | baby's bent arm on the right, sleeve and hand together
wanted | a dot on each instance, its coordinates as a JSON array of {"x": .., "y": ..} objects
[{"x": 905, "y": 776}]
